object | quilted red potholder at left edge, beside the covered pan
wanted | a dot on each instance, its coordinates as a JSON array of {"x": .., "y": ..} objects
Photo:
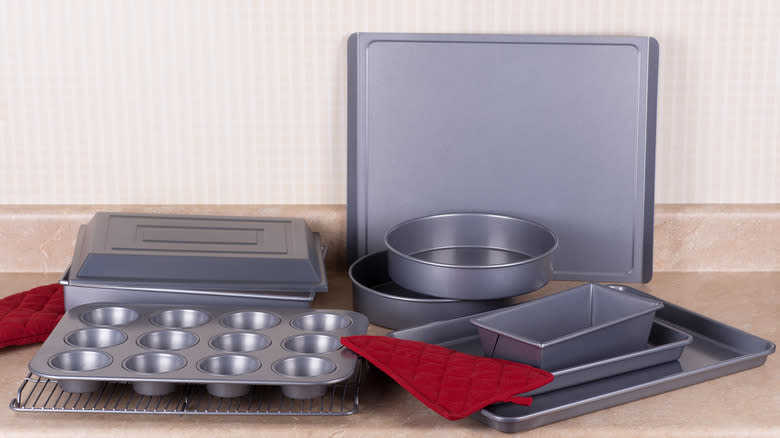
[{"x": 29, "y": 317}]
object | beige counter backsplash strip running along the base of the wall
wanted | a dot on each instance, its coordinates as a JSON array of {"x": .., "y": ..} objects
[{"x": 688, "y": 237}]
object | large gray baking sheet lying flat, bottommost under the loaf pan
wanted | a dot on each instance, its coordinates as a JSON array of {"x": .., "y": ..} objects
[{"x": 717, "y": 350}]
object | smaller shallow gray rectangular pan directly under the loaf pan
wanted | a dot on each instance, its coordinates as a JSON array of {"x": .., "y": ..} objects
[{"x": 665, "y": 345}]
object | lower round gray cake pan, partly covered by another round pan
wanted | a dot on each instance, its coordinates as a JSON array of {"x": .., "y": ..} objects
[{"x": 388, "y": 305}]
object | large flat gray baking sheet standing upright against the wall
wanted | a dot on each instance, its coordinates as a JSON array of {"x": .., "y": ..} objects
[{"x": 559, "y": 130}]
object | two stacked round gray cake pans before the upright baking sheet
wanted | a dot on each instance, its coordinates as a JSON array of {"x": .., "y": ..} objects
[{"x": 450, "y": 265}]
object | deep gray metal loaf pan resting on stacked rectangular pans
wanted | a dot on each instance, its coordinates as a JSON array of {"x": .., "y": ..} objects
[{"x": 579, "y": 325}]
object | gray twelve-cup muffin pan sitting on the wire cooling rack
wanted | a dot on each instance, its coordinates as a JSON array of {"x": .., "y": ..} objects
[{"x": 226, "y": 348}]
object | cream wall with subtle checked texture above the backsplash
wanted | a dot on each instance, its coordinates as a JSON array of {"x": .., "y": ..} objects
[{"x": 244, "y": 102}]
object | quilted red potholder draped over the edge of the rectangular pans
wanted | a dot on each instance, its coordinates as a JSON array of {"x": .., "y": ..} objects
[{"x": 452, "y": 383}]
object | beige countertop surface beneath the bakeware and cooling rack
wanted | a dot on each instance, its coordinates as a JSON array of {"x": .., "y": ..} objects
[{"x": 743, "y": 404}]
